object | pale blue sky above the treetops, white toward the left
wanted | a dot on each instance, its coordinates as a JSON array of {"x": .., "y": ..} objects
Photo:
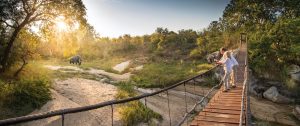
[{"x": 114, "y": 18}]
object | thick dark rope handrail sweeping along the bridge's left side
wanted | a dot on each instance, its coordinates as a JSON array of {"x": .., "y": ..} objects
[{"x": 62, "y": 112}]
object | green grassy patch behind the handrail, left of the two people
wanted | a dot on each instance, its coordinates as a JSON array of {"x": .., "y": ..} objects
[{"x": 165, "y": 74}]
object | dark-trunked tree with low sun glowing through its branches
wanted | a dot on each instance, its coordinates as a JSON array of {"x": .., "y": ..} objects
[{"x": 18, "y": 14}]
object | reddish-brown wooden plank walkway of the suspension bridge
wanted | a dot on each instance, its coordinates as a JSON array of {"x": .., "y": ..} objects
[{"x": 225, "y": 107}]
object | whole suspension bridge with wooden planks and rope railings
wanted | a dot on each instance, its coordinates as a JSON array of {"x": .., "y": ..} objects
[{"x": 223, "y": 109}]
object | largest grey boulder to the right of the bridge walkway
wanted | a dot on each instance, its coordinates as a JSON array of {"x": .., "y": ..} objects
[{"x": 273, "y": 95}]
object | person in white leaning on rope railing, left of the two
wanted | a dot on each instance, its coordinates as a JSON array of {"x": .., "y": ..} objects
[{"x": 227, "y": 65}]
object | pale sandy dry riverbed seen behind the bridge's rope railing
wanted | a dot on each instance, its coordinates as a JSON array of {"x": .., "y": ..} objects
[{"x": 76, "y": 92}]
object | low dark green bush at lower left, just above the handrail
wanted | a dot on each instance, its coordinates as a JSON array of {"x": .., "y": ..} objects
[{"x": 23, "y": 96}]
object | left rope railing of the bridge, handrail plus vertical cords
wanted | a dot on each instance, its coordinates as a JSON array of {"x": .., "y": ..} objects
[{"x": 64, "y": 112}]
